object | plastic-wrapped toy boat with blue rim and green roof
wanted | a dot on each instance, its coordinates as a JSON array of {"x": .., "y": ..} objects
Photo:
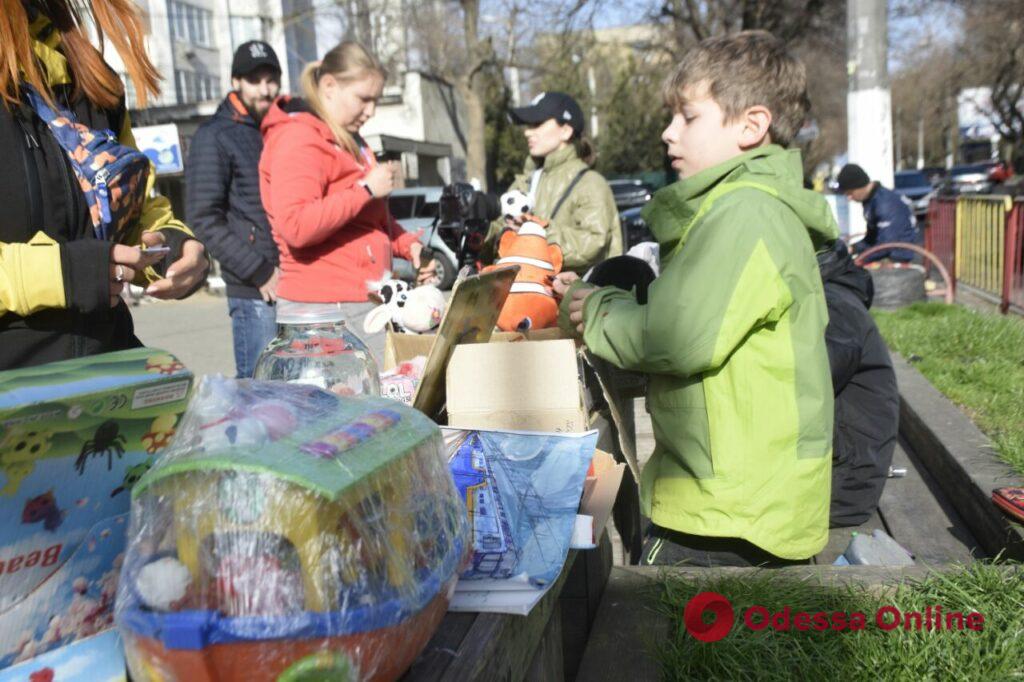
[{"x": 287, "y": 533}]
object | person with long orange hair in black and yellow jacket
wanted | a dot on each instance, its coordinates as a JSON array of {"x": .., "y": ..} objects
[{"x": 60, "y": 284}]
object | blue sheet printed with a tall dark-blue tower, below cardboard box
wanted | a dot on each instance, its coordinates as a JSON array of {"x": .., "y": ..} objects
[{"x": 522, "y": 493}]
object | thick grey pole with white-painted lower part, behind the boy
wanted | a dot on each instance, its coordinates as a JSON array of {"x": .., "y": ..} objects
[{"x": 870, "y": 126}]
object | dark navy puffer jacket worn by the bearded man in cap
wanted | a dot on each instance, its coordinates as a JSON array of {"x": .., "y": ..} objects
[{"x": 223, "y": 202}]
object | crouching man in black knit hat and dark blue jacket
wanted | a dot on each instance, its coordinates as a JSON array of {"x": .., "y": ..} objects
[{"x": 888, "y": 216}]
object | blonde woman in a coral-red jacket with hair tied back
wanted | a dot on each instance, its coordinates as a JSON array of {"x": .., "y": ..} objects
[{"x": 324, "y": 192}]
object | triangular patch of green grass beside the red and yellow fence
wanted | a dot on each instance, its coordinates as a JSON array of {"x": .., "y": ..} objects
[{"x": 975, "y": 359}]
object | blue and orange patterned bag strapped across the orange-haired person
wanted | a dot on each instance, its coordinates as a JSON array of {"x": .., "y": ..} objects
[{"x": 113, "y": 177}]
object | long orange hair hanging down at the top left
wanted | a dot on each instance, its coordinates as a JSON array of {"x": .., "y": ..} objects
[{"x": 117, "y": 20}]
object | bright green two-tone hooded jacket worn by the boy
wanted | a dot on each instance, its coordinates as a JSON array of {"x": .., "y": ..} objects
[{"x": 734, "y": 338}]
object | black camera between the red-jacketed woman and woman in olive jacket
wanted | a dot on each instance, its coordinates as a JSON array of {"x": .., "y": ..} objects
[{"x": 464, "y": 216}]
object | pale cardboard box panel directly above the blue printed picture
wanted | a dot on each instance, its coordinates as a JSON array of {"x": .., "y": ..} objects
[{"x": 532, "y": 387}]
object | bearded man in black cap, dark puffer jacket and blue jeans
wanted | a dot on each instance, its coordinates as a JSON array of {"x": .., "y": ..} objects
[{"x": 223, "y": 200}]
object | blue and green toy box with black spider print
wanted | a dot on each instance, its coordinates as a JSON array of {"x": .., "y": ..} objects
[{"x": 74, "y": 438}]
